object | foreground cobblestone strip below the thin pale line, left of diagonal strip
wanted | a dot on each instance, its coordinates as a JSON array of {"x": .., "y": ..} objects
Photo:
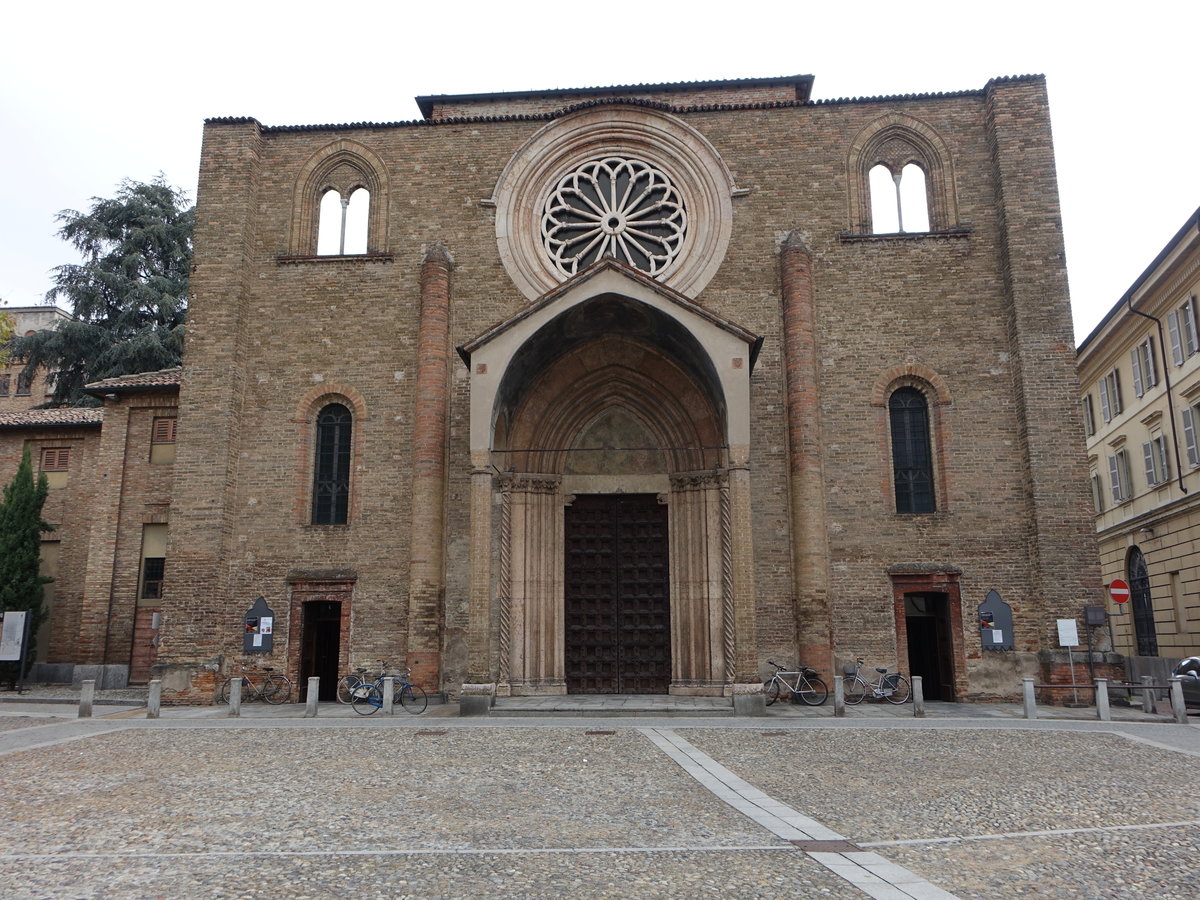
[{"x": 675, "y": 873}]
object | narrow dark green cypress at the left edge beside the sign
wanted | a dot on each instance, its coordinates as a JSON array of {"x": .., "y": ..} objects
[{"x": 21, "y": 548}]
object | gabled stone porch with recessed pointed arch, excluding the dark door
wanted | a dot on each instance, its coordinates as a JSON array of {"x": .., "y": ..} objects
[{"x": 610, "y": 385}]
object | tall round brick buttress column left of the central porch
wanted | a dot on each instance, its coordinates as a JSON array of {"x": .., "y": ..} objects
[{"x": 427, "y": 580}]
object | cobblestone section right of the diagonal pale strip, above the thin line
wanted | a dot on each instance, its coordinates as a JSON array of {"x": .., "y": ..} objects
[{"x": 904, "y": 785}]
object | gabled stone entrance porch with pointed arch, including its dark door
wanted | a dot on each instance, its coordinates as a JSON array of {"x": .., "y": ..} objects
[{"x": 614, "y": 429}]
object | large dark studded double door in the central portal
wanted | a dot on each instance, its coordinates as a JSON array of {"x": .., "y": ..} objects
[{"x": 617, "y": 593}]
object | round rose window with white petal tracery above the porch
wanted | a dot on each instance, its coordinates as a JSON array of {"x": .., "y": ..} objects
[{"x": 615, "y": 207}]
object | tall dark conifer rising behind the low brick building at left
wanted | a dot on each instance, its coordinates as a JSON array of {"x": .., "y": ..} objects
[{"x": 129, "y": 296}]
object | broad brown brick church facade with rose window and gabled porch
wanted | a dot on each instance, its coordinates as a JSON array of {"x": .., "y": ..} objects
[{"x": 620, "y": 391}]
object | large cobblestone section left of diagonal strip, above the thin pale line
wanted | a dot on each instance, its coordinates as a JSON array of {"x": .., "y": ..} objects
[{"x": 191, "y": 791}]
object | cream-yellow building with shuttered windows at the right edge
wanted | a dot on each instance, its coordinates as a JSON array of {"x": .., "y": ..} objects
[{"x": 1139, "y": 373}]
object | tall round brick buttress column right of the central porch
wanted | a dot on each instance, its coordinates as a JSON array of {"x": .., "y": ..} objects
[{"x": 809, "y": 543}]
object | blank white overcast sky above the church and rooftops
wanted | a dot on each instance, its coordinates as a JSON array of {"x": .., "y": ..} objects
[{"x": 95, "y": 93}]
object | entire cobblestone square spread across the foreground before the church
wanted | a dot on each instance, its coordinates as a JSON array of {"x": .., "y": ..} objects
[{"x": 200, "y": 806}]
